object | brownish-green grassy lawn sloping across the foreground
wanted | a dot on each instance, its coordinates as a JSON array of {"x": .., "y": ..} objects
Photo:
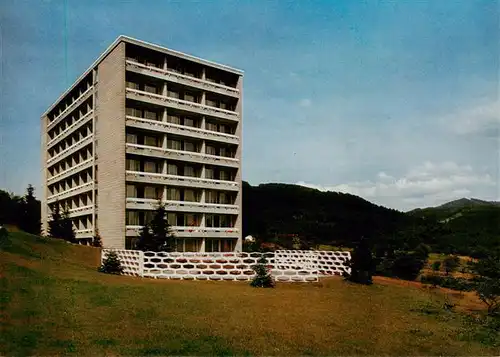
[{"x": 55, "y": 302}]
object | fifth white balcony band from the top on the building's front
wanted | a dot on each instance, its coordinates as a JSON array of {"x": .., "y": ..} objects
[{"x": 184, "y": 181}]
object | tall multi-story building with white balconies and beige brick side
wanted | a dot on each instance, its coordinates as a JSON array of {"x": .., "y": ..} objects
[{"x": 142, "y": 124}]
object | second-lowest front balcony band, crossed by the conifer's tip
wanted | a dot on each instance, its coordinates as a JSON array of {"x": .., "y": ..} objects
[{"x": 182, "y": 206}]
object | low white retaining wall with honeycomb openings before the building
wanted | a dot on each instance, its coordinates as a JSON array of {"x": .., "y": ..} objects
[{"x": 285, "y": 265}]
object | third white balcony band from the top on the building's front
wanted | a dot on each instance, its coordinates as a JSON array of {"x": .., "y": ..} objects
[{"x": 170, "y": 128}]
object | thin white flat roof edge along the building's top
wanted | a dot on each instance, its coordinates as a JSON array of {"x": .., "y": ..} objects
[{"x": 127, "y": 39}]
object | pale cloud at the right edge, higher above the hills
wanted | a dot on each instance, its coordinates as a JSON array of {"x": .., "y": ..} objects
[{"x": 483, "y": 120}]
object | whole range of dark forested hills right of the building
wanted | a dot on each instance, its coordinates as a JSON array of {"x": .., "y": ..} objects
[{"x": 467, "y": 227}]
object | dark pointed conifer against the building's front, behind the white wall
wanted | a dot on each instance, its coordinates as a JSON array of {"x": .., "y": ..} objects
[{"x": 157, "y": 235}]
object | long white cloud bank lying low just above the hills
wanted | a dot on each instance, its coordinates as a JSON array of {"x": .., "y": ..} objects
[{"x": 428, "y": 184}]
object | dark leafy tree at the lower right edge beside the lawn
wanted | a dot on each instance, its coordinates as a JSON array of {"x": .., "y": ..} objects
[{"x": 488, "y": 280}]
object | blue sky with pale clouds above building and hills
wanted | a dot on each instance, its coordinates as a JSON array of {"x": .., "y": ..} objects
[{"x": 394, "y": 101}]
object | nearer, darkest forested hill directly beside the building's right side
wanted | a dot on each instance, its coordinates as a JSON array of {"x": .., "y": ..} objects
[{"x": 317, "y": 217}]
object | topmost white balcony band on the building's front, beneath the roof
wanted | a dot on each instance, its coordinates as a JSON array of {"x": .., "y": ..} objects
[{"x": 181, "y": 79}]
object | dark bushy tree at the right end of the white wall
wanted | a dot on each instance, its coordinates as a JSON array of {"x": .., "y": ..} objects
[{"x": 362, "y": 263}]
